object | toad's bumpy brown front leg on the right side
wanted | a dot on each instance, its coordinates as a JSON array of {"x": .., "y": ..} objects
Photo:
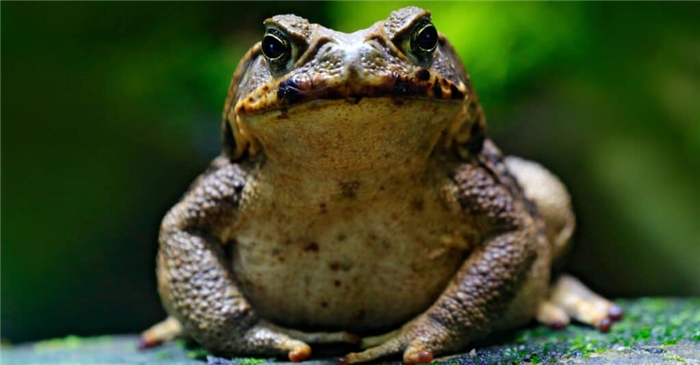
[{"x": 480, "y": 293}]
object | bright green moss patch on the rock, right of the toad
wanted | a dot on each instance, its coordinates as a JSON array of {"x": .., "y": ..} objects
[{"x": 649, "y": 325}]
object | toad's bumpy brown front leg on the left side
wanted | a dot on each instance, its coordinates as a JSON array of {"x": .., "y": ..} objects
[{"x": 195, "y": 279}]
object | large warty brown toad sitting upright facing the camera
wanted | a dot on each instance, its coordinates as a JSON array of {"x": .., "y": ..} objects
[{"x": 358, "y": 195}]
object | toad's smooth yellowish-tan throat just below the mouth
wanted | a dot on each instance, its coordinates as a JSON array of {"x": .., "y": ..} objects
[{"x": 340, "y": 140}]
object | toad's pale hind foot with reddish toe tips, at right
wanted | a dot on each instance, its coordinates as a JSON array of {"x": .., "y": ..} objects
[{"x": 571, "y": 299}]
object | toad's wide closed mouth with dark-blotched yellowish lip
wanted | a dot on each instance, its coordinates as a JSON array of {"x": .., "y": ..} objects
[{"x": 300, "y": 89}]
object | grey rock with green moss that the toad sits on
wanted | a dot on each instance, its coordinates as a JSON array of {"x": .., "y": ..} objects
[{"x": 653, "y": 331}]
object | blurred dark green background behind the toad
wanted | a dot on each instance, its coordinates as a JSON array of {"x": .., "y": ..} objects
[{"x": 110, "y": 109}]
